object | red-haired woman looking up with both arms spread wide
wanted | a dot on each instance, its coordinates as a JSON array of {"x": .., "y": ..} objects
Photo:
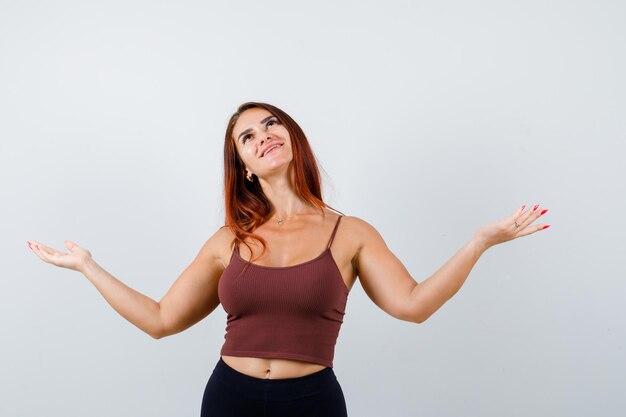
[{"x": 282, "y": 267}]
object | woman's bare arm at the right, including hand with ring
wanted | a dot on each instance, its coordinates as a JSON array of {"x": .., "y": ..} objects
[{"x": 389, "y": 285}]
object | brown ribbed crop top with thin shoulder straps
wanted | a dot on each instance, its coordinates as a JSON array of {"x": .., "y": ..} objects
[{"x": 292, "y": 312}]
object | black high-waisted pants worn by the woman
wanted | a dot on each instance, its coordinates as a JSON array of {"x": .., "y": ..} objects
[{"x": 230, "y": 393}]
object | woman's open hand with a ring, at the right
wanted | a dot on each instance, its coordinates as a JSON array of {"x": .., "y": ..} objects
[{"x": 506, "y": 229}]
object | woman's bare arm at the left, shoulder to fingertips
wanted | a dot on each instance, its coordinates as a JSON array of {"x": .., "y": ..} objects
[{"x": 192, "y": 297}]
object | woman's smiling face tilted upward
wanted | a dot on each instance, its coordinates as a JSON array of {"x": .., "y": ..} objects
[{"x": 257, "y": 131}]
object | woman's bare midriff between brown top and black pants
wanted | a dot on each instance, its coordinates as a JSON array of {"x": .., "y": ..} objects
[{"x": 271, "y": 368}]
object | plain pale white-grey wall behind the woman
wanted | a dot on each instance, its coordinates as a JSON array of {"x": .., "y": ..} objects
[{"x": 429, "y": 119}]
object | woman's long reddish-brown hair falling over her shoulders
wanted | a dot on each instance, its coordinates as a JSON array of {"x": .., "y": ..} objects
[{"x": 247, "y": 207}]
